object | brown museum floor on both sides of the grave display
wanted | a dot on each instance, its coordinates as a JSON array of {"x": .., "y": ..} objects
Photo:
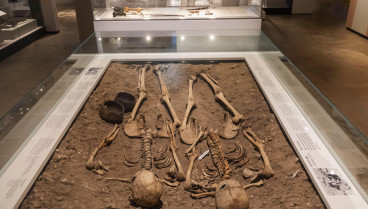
[{"x": 334, "y": 59}]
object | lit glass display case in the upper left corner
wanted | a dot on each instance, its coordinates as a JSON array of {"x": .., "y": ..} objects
[{"x": 15, "y": 19}]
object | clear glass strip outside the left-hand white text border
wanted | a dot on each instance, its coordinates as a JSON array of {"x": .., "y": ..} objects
[{"x": 18, "y": 125}]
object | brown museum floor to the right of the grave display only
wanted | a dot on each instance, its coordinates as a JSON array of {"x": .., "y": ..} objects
[{"x": 333, "y": 58}]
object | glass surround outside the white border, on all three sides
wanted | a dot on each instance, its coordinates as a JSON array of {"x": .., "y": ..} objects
[{"x": 344, "y": 141}]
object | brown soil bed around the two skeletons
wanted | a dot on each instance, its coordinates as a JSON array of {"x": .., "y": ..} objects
[{"x": 66, "y": 183}]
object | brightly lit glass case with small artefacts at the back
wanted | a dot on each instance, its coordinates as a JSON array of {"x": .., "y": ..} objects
[{"x": 175, "y": 9}]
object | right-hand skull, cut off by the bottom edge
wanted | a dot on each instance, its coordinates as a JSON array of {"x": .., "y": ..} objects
[{"x": 231, "y": 195}]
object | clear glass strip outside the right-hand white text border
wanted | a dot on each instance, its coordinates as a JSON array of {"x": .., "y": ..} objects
[{"x": 345, "y": 142}]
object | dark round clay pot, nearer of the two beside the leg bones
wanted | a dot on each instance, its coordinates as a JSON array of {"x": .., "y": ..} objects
[{"x": 112, "y": 111}]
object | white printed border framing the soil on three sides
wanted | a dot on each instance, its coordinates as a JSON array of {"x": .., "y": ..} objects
[{"x": 313, "y": 153}]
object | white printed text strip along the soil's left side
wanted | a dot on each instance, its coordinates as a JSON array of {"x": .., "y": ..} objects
[{"x": 24, "y": 170}]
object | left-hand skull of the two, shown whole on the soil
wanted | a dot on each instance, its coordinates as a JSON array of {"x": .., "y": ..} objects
[{"x": 147, "y": 189}]
